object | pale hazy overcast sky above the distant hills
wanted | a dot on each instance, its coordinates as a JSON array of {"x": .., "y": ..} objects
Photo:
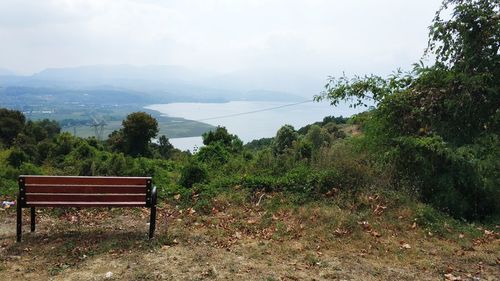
[{"x": 315, "y": 37}]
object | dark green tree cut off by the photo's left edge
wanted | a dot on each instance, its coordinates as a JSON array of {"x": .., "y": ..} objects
[{"x": 11, "y": 124}]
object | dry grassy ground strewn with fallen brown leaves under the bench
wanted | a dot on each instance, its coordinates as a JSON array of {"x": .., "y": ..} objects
[{"x": 254, "y": 237}]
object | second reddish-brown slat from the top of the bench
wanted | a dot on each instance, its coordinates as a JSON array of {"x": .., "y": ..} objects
[{"x": 38, "y": 188}]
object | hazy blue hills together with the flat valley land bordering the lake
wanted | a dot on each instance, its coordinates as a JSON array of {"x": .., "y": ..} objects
[{"x": 78, "y": 97}]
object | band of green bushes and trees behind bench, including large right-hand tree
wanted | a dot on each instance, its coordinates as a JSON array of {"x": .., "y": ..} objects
[{"x": 433, "y": 136}]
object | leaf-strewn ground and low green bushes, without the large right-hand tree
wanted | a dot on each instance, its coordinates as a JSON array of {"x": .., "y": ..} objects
[{"x": 317, "y": 209}]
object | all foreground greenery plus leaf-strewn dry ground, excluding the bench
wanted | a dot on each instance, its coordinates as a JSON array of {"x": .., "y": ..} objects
[{"x": 412, "y": 182}]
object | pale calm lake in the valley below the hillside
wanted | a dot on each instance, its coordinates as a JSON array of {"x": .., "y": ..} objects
[{"x": 249, "y": 119}]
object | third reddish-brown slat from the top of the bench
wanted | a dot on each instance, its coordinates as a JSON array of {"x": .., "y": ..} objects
[{"x": 85, "y": 198}]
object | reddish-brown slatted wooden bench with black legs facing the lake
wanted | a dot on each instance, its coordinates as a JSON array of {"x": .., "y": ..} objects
[{"x": 62, "y": 191}]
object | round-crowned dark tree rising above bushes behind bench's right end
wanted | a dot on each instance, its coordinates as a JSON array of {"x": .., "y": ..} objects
[{"x": 138, "y": 130}]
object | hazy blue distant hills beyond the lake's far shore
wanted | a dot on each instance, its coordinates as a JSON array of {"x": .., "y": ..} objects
[{"x": 138, "y": 84}]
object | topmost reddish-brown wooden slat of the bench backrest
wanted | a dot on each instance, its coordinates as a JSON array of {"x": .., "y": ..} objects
[{"x": 86, "y": 180}]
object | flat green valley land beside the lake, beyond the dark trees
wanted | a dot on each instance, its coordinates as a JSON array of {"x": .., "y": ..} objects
[{"x": 79, "y": 116}]
